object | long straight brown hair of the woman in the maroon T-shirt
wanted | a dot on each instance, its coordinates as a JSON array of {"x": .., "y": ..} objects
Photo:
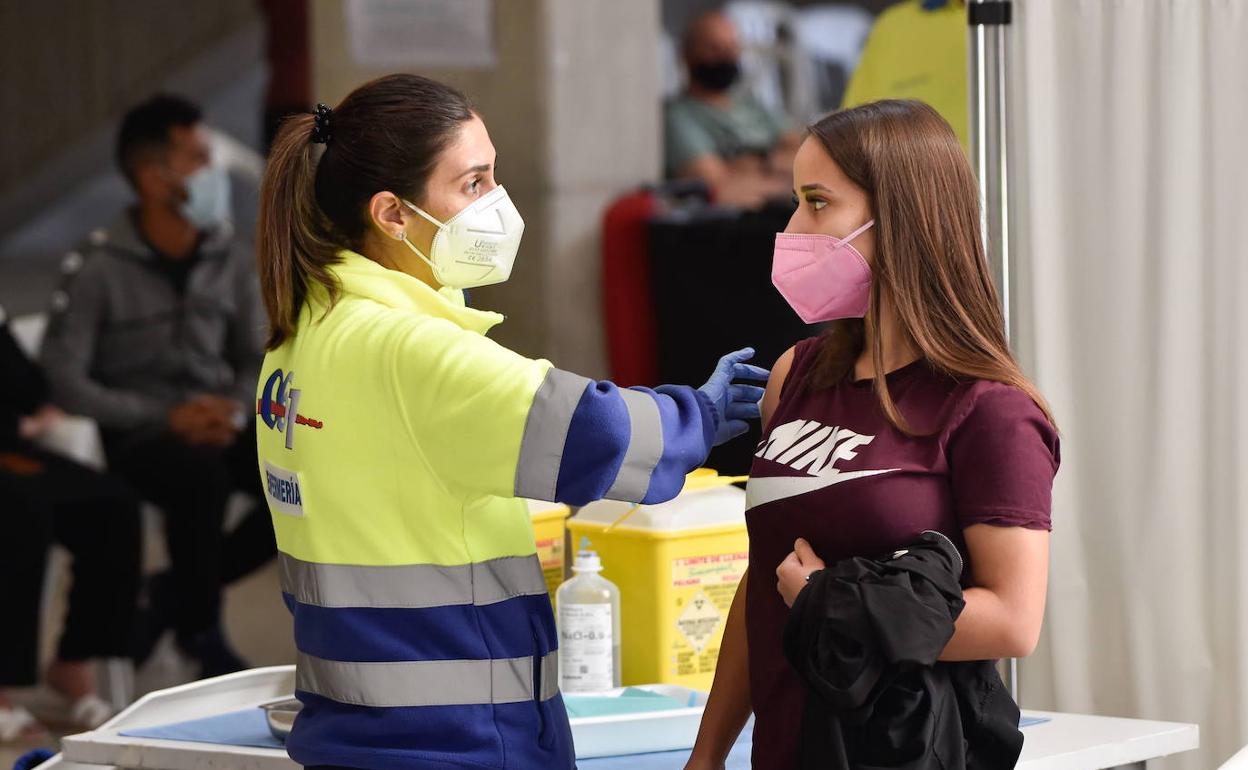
[{"x": 929, "y": 254}]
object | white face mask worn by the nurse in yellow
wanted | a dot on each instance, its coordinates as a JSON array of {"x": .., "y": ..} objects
[{"x": 477, "y": 246}]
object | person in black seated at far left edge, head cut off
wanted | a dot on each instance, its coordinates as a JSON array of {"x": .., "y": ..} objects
[{"x": 46, "y": 500}]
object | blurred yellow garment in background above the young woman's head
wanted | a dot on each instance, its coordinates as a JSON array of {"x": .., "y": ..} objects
[{"x": 918, "y": 54}]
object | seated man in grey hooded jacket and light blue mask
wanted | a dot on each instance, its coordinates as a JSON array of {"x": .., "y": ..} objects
[{"x": 158, "y": 335}]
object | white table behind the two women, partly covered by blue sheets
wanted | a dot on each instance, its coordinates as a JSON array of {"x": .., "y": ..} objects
[{"x": 1070, "y": 742}]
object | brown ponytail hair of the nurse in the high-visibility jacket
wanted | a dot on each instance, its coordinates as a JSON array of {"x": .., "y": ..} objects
[{"x": 385, "y": 135}]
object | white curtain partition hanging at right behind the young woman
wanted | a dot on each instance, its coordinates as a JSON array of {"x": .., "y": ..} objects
[{"x": 1130, "y": 167}]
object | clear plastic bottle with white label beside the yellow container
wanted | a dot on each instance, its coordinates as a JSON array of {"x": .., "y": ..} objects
[{"x": 590, "y": 627}]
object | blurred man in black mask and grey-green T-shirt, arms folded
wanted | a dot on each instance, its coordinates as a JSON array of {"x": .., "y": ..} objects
[{"x": 723, "y": 135}]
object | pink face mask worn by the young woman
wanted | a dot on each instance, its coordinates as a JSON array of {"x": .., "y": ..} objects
[{"x": 824, "y": 279}]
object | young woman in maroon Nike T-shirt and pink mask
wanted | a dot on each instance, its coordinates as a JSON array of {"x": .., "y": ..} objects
[{"x": 909, "y": 415}]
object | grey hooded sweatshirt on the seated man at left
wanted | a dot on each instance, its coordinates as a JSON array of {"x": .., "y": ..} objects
[{"x": 124, "y": 345}]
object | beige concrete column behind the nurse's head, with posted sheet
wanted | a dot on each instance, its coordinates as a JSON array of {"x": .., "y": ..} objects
[{"x": 573, "y": 108}]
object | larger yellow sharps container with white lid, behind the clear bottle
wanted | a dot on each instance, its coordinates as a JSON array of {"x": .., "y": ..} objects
[{"x": 678, "y": 566}]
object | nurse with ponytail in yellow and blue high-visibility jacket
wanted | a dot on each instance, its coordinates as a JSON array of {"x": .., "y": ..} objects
[{"x": 395, "y": 440}]
